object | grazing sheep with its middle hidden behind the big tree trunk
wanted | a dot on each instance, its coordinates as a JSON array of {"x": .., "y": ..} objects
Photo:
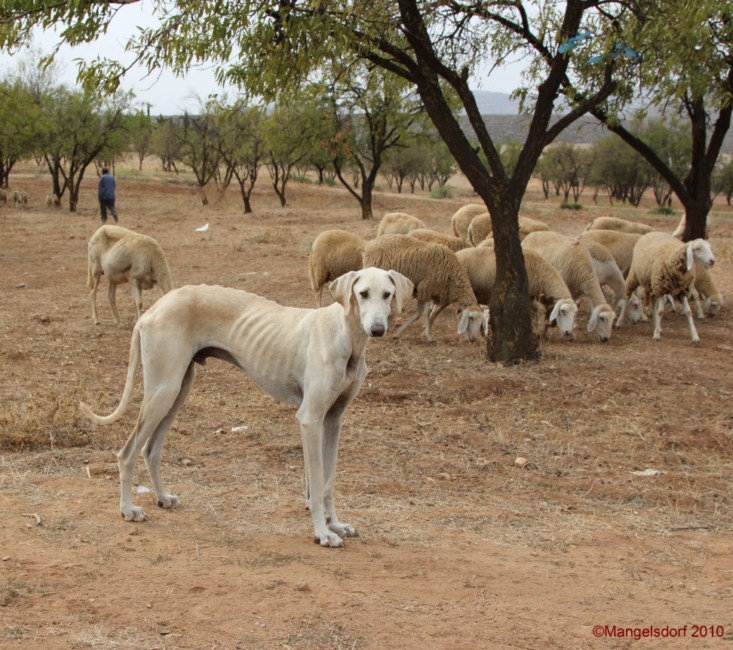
[{"x": 546, "y": 286}]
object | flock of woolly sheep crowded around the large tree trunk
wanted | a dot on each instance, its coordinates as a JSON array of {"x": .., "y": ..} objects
[{"x": 614, "y": 261}]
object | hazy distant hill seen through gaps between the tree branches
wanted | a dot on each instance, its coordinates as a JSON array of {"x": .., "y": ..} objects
[{"x": 501, "y": 115}]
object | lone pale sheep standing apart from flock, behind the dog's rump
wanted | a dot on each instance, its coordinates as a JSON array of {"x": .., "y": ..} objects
[{"x": 125, "y": 256}]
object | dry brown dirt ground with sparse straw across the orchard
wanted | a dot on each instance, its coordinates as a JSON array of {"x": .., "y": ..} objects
[{"x": 459, "y": 546}]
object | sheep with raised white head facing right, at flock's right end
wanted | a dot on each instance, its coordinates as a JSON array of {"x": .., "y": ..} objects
[{"x": 664, "y": 267}]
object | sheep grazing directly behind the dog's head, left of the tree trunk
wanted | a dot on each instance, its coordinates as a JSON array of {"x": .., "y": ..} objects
[{"x": 436, "y": 275}]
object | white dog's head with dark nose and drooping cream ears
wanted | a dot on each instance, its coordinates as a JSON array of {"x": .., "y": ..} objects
[{"x": 372, "y": 291}]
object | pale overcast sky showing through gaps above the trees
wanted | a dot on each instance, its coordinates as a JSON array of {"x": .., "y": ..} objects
[{"x": 167, "y": 94}]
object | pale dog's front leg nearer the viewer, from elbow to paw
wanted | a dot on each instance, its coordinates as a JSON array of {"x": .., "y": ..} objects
[{"x": 311, "y": 430}]
